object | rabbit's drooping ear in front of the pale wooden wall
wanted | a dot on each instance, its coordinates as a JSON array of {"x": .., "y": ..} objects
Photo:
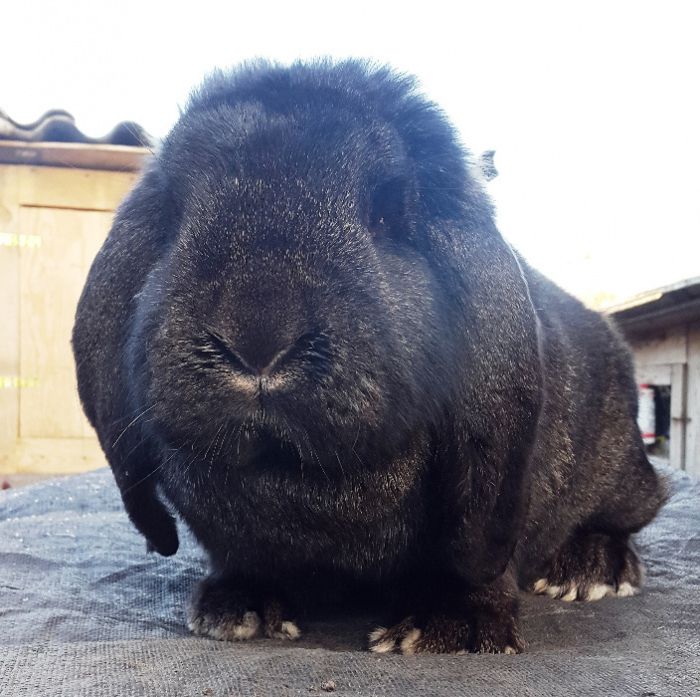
[{"x": 104, "y": 322}]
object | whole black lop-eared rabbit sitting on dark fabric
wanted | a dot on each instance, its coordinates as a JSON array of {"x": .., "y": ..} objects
[{"x": 305, "y": 334}]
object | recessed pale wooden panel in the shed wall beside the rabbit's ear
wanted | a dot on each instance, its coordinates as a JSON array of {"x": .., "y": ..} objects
[{"x": 52, "y": 276}]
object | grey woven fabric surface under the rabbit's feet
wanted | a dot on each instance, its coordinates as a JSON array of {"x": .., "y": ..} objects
[{"x": 85, "y": 611}]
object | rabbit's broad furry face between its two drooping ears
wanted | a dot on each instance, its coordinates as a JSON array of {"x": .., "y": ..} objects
[{"x": 287, "y": 309}]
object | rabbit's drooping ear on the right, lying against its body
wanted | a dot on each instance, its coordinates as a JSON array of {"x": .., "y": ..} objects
[{"x": 493, "y": 424}]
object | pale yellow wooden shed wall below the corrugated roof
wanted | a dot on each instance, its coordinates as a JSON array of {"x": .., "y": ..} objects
[{"x": 52, "y": 222}]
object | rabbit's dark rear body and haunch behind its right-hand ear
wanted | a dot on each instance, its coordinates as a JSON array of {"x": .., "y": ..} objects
[{"x": 589, "y": 469}]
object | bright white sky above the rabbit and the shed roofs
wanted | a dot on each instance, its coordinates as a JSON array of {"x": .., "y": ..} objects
[{"x": 593, "y": 108}]
